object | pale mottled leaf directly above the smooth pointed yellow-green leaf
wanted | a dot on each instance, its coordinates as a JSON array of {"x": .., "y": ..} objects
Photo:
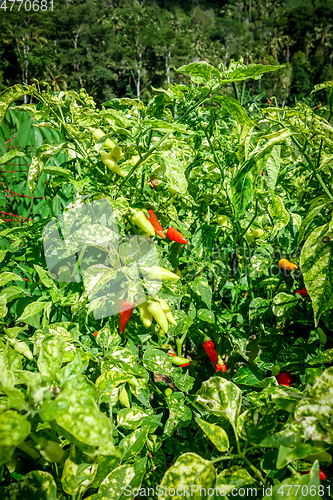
[{"x": 220, "y": 397}]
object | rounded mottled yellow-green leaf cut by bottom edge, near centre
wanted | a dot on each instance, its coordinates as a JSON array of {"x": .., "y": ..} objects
[{"x": 183, "y": 474}]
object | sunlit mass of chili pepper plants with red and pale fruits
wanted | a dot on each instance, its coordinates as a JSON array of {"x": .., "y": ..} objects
[{"x": 91, "y": 400}]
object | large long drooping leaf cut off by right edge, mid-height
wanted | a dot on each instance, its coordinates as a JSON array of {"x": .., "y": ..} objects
[{"x": 317, "y": 269}]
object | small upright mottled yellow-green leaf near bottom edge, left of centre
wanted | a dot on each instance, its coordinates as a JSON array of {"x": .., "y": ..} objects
[{"x": 78, "y": 472}]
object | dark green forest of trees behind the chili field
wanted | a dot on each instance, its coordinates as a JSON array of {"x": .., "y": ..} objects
[{"x": 124, "y": 48}]
